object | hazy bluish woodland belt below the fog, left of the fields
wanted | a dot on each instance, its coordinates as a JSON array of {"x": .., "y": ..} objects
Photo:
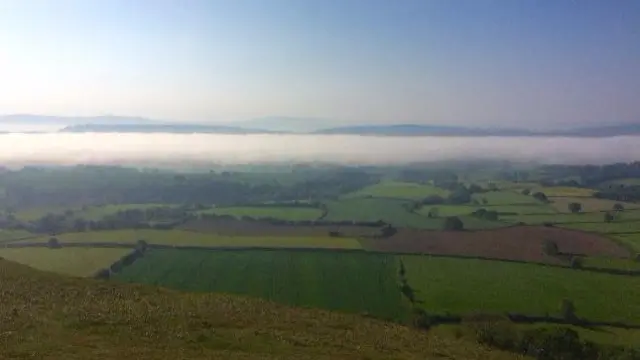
[{"x": 94, "y": 185}]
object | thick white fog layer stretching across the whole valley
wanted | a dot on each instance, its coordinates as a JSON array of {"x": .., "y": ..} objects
[{"x": 18, "y": 149}]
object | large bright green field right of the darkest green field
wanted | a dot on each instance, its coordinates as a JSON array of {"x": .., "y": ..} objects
[{"x": 463, "y": 286}]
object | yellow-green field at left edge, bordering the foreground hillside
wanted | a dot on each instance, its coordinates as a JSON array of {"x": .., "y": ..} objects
[{"x": 69, "y": 261}]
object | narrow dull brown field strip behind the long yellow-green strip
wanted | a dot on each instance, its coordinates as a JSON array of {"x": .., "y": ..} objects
[{"x": 258, "y": 228}]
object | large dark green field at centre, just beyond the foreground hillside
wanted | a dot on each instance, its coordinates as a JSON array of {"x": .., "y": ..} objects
[{"x": 352, "y": 282}]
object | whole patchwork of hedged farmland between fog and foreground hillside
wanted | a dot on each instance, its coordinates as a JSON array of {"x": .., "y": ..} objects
[{"x": 432, "y": 252}]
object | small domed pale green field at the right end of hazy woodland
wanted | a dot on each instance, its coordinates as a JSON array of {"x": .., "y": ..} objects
[{"x": 399, "y": 190}]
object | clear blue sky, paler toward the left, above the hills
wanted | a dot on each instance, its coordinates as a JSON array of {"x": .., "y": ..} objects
[{"x": 525, "y": 63}]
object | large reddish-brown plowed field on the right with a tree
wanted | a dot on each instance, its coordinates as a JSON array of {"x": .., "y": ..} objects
[{"x": 522, "y": 243}]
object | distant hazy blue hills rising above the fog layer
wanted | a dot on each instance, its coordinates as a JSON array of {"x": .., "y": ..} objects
[{"x": 271, "y": 125}]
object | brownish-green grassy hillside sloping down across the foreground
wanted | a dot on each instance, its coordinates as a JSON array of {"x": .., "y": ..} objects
[{"x": 56, "y": 317}]
